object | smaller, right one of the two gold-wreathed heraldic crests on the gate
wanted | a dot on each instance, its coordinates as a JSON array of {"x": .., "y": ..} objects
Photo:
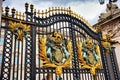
[{"x": 89, "y": 55}]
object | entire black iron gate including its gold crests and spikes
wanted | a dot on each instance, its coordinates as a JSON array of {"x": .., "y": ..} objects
[{"x": 56, "y": 44}]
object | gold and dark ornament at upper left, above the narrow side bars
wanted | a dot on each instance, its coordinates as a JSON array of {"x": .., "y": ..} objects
[{"x": 19, "y": 30}]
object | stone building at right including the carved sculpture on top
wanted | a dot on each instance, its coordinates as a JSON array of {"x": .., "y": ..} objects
[{"x": 109, "y": 23}]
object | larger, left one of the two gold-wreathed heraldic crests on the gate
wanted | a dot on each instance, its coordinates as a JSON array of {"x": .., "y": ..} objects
[{"x": 55, "y": 51}]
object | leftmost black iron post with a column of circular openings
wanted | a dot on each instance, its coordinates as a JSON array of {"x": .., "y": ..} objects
[{"x": 6, "y": 51}]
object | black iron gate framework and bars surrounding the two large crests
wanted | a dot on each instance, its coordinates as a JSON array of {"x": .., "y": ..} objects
[{"x": 21, "y": 59}]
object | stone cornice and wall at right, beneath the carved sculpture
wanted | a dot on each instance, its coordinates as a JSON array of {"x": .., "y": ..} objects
[{"x": 113, "y": 28}]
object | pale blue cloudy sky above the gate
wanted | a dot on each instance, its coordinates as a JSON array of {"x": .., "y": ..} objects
[{"x": 88, "y": 9}]
